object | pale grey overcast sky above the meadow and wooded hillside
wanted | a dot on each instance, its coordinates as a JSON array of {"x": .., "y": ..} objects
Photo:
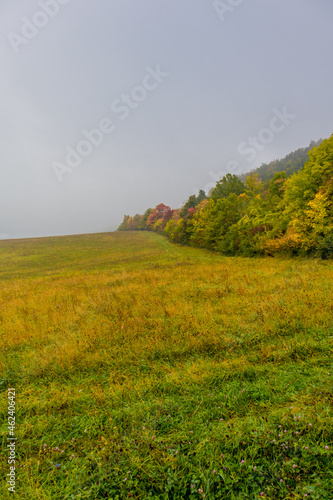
[{"x": 182, "y": 91}]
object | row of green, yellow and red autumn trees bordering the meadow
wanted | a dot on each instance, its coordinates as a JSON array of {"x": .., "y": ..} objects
[{"x": 286, "y": 211}]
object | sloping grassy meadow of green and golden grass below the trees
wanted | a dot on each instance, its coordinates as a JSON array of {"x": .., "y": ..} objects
[{"x": 147, "y": 370}]
